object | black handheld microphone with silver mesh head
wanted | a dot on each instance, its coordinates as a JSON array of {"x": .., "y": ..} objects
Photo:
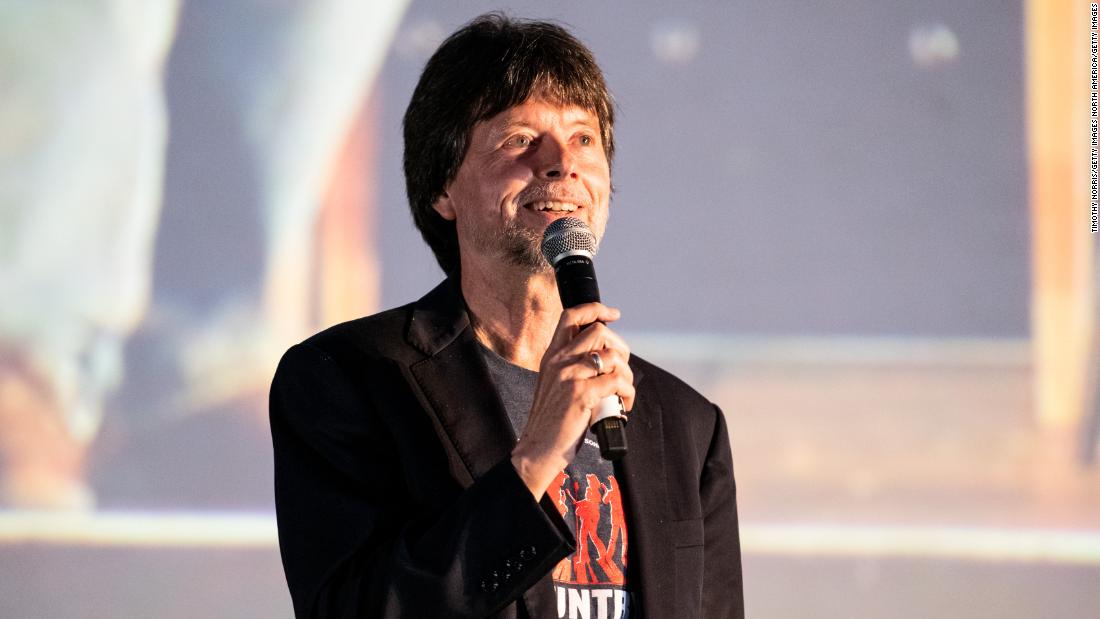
[{"x": 569, "y": 247}]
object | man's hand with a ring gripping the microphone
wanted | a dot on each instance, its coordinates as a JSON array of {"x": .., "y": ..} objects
[{"x": 569, "y": 392}]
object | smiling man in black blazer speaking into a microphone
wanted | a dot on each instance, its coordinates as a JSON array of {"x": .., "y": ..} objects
[{"x": 402, "y": 490}]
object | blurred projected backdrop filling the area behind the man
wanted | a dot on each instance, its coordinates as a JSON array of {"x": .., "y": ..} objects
[{"x": 862, "y": 228}]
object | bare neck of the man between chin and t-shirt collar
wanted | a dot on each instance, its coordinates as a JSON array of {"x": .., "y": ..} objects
[{"x": 514, "y": 313}]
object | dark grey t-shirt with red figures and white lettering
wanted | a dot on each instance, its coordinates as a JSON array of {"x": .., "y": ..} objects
[{"x": 591, "y": 582}]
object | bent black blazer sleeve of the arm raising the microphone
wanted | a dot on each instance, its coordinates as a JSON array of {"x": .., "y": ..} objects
[{"x": 353, "y": 546}]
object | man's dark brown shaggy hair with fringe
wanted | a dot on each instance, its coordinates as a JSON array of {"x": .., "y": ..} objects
[{"x": 490, "y": 65}]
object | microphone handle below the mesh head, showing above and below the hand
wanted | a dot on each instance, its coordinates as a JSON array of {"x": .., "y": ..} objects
[{"x": 577, "y": 284}]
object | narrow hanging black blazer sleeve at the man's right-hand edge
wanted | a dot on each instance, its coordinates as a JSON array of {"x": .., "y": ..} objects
[{"x": 723, "y": 591}]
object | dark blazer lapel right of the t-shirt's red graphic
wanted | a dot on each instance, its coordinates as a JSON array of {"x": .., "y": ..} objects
[{"x": 645, "y": 493}]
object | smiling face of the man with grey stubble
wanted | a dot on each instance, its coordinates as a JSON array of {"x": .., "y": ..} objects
[{"x": 524, "y": 169}]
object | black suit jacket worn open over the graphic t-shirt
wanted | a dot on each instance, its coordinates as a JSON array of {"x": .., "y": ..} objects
[{"x": 397, "y": 498}]
